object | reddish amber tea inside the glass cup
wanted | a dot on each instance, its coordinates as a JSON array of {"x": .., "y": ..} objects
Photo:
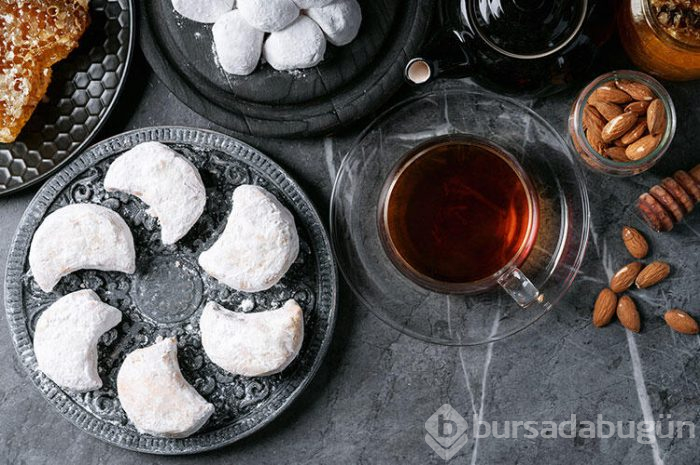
[{"x": 458, "y": 212}]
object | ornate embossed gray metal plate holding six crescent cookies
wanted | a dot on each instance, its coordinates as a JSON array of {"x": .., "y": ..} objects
[{"x": 168, "y": 291}]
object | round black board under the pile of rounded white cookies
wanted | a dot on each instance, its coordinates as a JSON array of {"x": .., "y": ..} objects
[{"x": 351, "y": 82}]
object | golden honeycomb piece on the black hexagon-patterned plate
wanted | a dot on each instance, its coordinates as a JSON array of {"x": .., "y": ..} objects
[{"x": 35, "y": 36}]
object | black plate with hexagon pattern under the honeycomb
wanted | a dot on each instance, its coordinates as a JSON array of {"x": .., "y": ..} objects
[{"x": 83, "y": 91}]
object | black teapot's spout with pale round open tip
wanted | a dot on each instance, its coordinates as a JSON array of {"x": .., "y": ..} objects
[{"x": 445, "y": 56}]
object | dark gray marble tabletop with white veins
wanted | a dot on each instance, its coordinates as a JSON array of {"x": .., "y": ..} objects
[{"x": 376, "y": 389}]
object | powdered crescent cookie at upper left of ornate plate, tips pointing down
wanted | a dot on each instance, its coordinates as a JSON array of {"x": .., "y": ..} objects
[{"x": 80, "y": 236}]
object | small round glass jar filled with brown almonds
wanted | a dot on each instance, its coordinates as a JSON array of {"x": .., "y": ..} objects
[{"x": 622, "y": 123}]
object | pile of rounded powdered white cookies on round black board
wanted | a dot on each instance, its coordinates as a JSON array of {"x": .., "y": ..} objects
[{"x": 288, "y": 34}]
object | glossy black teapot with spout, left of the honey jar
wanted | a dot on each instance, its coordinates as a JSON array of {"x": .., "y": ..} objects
[{"x": 534, "y": 47}]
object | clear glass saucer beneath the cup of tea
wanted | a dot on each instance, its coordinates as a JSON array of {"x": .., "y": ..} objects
[{"x": 459, "y": 320}]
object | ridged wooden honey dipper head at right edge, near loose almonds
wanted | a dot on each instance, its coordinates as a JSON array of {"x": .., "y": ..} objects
[{"x": 667, "y": 203}]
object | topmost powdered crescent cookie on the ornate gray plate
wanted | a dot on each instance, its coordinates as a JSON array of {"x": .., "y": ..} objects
[{"x": 166, "y": 181}]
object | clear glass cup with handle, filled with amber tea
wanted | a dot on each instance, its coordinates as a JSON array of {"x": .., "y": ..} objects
[{"x": 459, "y": 215}]
